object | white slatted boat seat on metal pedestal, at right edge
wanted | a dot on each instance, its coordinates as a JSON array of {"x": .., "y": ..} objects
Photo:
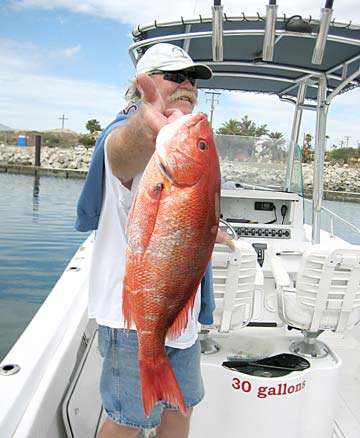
[{"x": 325, "y": 295}]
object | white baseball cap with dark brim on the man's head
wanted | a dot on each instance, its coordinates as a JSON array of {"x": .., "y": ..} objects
[{"x": 168, "y": 57}]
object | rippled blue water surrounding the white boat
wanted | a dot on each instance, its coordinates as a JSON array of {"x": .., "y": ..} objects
[{"x": 38, "y": 239}]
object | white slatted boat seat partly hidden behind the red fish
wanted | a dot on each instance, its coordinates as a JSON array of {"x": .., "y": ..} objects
[{"x": 235, "y": 277}]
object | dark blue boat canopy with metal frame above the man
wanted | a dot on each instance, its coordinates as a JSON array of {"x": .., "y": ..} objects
[{"x": 243, "y": 67}]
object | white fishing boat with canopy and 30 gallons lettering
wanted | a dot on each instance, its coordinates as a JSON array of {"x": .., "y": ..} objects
[{"x": 282, "y": 357}]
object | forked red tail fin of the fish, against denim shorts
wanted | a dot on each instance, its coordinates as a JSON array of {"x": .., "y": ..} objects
[{"x": 159, "y": 383}]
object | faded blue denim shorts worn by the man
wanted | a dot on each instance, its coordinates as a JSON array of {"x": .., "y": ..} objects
[{"x": 120, "y": 387}]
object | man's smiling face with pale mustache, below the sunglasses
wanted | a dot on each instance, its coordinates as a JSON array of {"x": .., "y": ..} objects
[{"x": 176, "y": 96}]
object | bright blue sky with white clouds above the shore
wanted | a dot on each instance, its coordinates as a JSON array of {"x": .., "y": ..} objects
[{"x": 70, "y": 57}]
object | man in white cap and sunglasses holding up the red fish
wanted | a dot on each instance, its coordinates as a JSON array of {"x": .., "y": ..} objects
[{"x": 163, "y": 90}]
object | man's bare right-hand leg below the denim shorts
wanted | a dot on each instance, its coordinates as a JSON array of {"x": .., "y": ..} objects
[{"x": 174, "y": 424}]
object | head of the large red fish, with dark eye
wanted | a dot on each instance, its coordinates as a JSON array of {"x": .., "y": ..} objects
[{"x": 186, "y": 151}]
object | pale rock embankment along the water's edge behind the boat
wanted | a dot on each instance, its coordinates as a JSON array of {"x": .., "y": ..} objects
[{"x": 337, "y": 179}]
